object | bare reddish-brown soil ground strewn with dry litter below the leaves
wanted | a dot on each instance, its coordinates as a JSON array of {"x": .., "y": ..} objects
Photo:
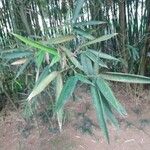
[{"x": 134, "y": 132}]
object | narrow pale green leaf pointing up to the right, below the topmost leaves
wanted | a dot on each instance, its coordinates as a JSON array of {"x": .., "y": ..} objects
[{"x": 100, "y": 39}]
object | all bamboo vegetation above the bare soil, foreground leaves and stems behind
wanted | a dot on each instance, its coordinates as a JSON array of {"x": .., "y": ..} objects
[{"x": 50, "y": 45}]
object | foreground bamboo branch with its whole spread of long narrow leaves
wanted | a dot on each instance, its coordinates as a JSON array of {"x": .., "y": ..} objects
[{"x": 70, "y": 53}]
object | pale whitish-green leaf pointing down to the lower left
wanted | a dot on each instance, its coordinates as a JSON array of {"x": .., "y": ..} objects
[{"x": 42, "y": 85}]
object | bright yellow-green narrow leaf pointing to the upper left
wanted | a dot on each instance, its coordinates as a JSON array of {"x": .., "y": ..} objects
[{"x": 36, "y": 45}]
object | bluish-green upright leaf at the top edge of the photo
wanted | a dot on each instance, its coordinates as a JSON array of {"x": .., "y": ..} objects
[{"x": 79, "y": 5}]
